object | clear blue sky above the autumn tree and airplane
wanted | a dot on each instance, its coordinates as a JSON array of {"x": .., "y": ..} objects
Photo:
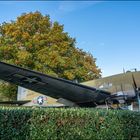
[{"x": 109, "y": 30}]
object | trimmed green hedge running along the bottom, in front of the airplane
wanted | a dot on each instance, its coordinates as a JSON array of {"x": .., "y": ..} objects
[{"x": 18, "y": 123}]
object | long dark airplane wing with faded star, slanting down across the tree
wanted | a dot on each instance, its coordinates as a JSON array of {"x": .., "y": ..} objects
[{"x": 55, "y": 87}]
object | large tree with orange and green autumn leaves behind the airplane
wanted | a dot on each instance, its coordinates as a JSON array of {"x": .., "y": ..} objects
[{"x": 34, "y": 42}]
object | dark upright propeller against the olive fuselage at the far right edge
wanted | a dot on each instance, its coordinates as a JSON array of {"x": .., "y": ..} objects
[{"x": 136, "y": 90}]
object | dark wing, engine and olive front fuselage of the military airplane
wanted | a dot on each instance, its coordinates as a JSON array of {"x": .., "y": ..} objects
[{"x": 122, "y": 88}]
